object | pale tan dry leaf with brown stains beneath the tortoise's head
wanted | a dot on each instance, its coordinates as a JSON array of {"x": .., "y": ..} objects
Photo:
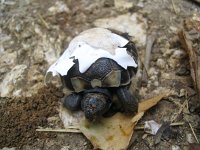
[{"x": 110, "y": 133}]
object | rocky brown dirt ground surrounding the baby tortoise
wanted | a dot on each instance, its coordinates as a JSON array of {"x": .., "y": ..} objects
[{"x": 35, "y": 33}]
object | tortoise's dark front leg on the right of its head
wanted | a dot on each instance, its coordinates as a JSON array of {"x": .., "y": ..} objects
[{"x": 128, "y": 101}]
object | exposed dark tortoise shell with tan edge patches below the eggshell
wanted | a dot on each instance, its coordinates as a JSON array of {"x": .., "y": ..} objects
[{"x": 104, "y": 72}]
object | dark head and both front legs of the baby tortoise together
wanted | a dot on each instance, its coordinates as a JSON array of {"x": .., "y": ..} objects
[{"x": 97, "y": 102}]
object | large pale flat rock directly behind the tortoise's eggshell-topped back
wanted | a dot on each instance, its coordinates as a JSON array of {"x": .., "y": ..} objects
[{"x": 133, "y": 24}]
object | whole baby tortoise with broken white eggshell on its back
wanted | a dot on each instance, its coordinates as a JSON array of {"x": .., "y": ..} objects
[{"x": 111, "y": 62}]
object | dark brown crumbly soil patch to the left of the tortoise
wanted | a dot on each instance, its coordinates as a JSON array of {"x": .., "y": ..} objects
[{"x": 20, "y": 117}]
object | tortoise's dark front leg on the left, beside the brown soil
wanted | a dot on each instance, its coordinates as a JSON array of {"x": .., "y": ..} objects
[{"x": 73, "y": 101}]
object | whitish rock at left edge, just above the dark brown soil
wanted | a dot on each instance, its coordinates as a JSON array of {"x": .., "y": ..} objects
[{"x": 13, "y": 81}]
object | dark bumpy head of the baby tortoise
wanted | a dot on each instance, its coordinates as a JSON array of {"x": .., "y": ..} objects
[{"x": 95, "y": 105}]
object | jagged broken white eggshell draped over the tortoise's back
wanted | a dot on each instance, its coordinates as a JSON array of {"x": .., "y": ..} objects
[{"x": 89, "y": 46}]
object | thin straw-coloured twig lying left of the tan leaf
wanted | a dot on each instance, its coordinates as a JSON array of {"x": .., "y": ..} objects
[{"x": 73, "y": 130}]
